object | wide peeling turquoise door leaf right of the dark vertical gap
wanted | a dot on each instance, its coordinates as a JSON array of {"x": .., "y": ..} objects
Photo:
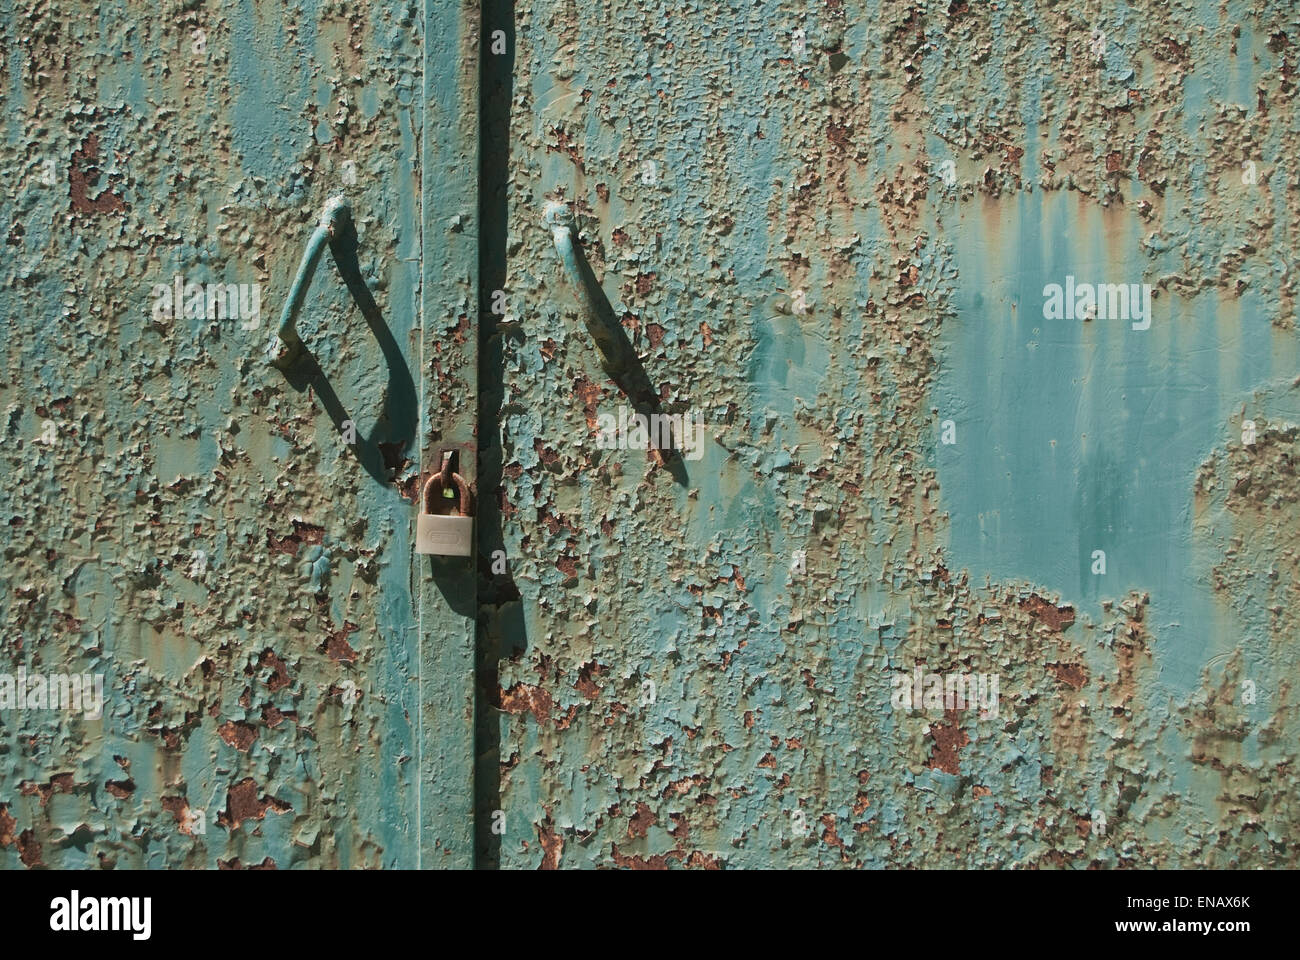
[{"x": 831, "y": 231}]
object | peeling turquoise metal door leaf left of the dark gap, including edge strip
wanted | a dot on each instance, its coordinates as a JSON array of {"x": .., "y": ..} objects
[{"x": 228, "y": 548}]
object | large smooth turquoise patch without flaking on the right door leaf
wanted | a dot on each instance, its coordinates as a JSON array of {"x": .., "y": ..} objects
[{"x": 1039, "y": 481}]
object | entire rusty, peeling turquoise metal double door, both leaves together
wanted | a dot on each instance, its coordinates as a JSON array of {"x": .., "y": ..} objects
[{"x": 827, "y": 237}]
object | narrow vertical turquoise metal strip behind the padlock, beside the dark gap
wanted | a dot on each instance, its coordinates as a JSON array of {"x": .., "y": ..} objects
[{"x": 449, "y": 378}]
